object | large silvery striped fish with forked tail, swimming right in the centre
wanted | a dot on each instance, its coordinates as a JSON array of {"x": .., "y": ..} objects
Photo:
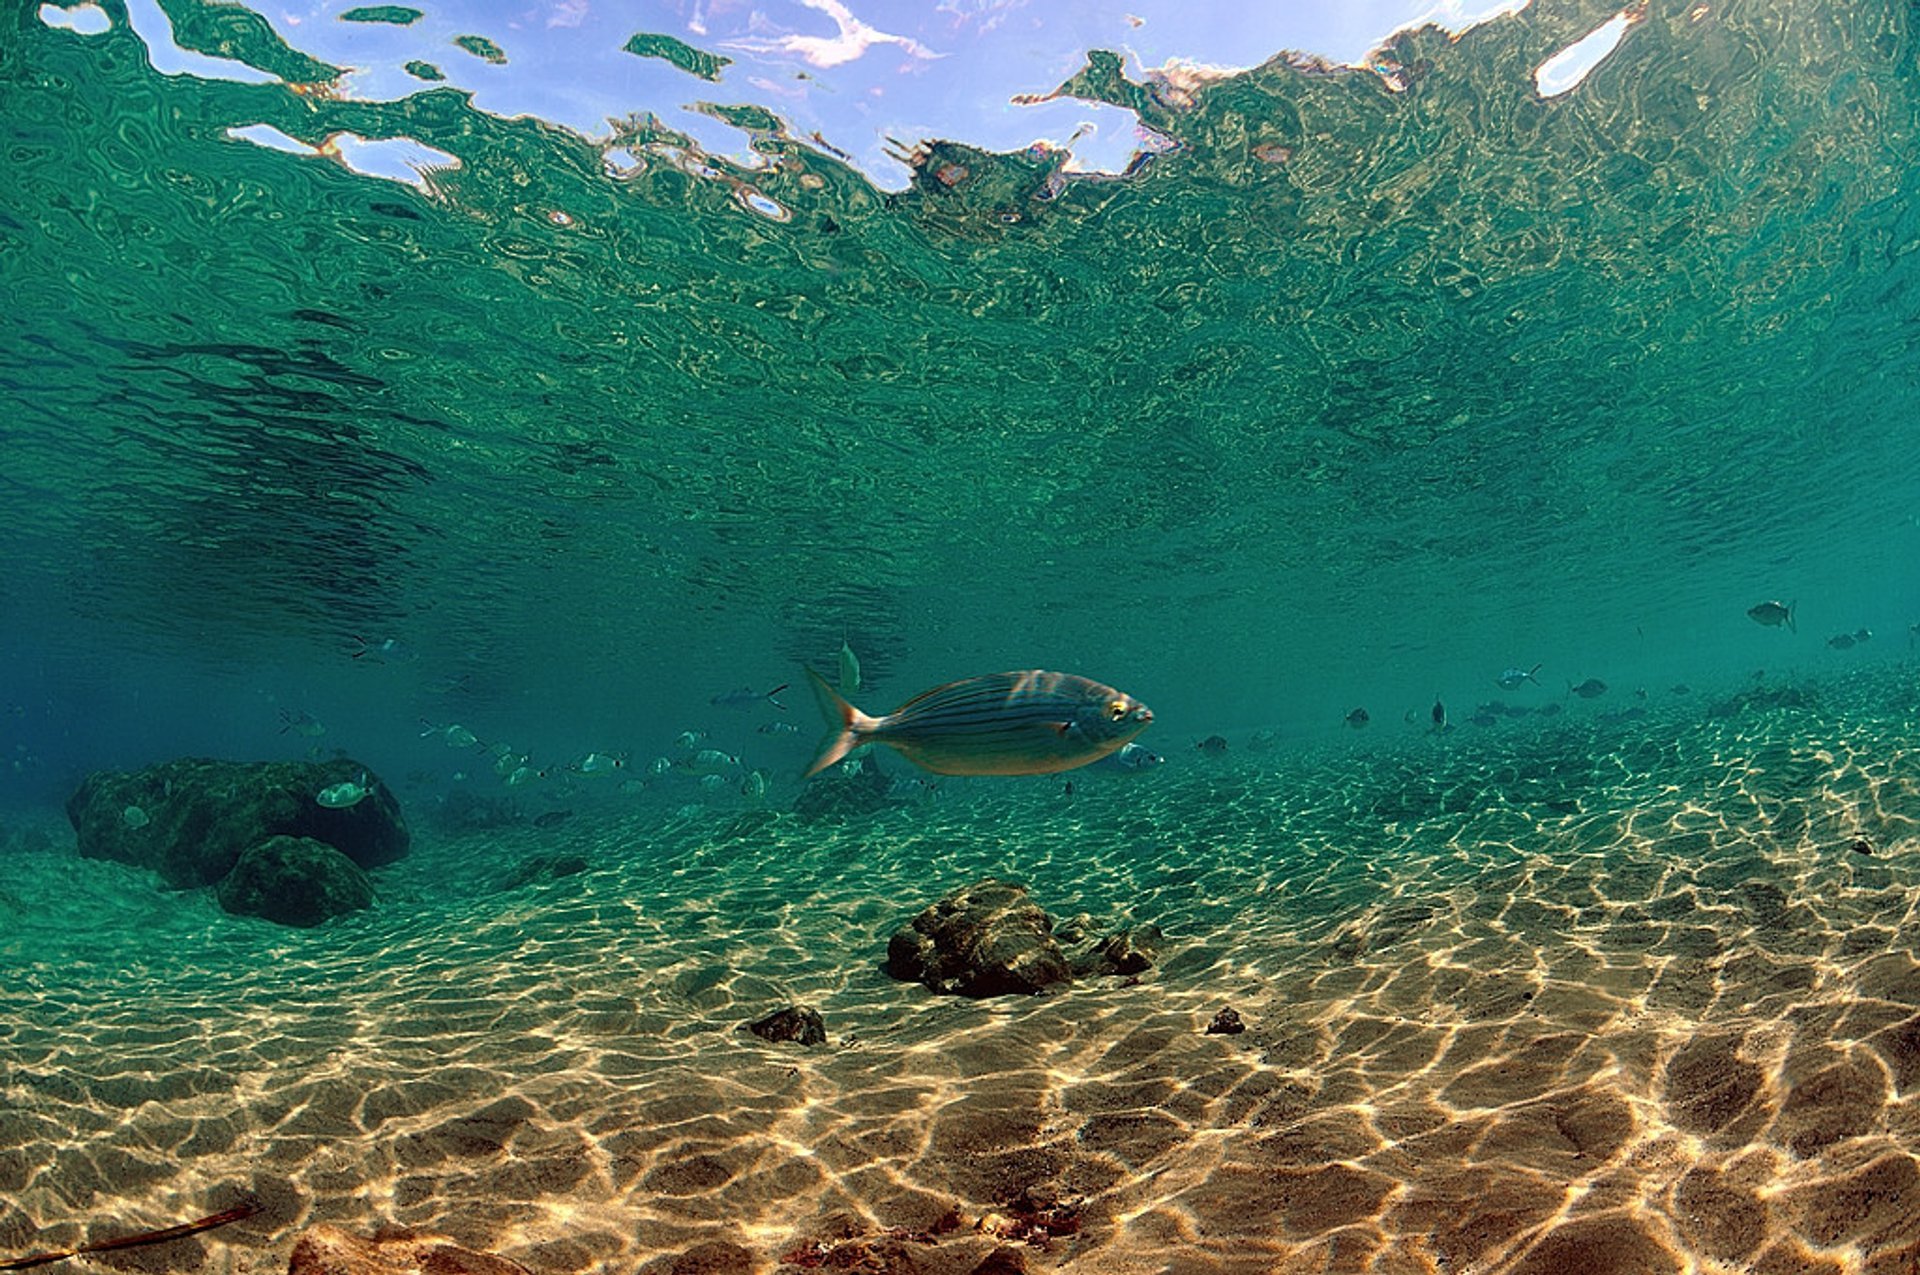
[{"x": 1005, "y": 723}]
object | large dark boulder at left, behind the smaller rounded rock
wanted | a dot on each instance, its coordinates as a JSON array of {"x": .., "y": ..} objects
[{"x": 193, "y": 819}]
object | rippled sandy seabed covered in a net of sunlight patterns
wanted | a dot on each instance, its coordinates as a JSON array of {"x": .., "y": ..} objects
[{"x": 1525, "y": 1001}]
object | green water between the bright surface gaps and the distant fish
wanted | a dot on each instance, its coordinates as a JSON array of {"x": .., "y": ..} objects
[{"x": 1470, "y": 379}]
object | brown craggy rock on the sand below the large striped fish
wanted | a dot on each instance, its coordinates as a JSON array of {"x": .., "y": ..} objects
[{"x": 984, "y": 940}]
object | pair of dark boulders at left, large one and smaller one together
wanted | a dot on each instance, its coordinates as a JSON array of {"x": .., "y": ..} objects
[{"x": 256, "y": 830}]
